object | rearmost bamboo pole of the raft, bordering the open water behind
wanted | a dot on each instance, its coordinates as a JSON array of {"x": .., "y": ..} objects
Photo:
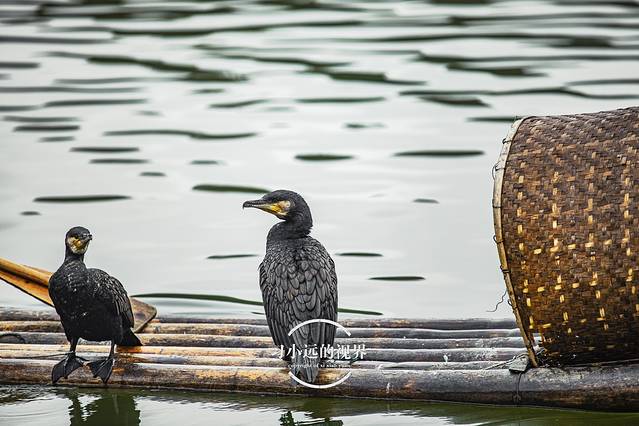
[{"x": 8, "y": 314}]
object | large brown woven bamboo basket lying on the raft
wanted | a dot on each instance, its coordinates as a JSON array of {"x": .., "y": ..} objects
[{"x": 566, "y": 212}]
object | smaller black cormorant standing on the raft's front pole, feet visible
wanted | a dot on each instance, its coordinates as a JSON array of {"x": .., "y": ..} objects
[{"x": 91, "y": 304}]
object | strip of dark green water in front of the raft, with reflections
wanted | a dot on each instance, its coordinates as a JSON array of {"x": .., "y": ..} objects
[{"x": 20, "y": 405}]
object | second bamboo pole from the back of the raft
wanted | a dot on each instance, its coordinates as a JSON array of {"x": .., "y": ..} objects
[{"x": 54, "y": 326}]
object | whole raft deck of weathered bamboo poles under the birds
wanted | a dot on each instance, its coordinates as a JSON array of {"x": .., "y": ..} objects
[{"x": 445, "y": 360}]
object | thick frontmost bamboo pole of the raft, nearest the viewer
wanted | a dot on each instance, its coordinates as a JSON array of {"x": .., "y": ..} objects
[{"x": 575, "y": 387}]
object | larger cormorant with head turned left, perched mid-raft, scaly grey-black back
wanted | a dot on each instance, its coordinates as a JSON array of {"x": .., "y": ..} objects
[{"x": 298, "y": 282}]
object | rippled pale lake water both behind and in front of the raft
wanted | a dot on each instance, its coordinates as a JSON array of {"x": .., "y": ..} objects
[{"x": 151, "y": 122}]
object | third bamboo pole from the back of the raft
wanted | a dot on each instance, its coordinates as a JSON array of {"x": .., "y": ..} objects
[{"x": 266, "y": 342}]
